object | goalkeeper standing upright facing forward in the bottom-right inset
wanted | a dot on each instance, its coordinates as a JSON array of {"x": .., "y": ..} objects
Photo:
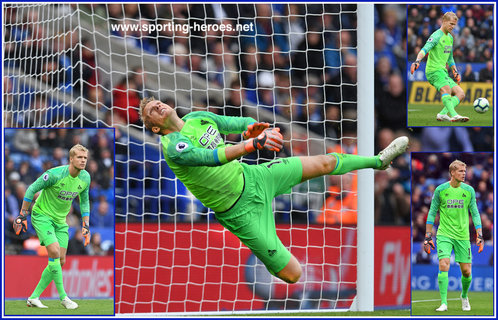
[{"x": 453, "y": 200}]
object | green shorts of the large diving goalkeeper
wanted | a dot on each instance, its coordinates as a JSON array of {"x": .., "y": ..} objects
[{"x": 251, "y": 218}]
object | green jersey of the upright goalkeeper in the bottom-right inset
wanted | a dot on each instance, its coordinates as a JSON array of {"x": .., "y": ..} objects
[{"x": 453, "y": 205}]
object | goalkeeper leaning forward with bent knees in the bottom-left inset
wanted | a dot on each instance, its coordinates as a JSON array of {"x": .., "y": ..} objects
[{"x": 59, "y": 187}]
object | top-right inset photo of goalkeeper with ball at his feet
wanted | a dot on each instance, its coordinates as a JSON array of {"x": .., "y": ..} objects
[{"x": 450, "y": 69}]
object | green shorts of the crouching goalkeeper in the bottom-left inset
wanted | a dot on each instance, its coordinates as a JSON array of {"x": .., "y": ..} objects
[{"x": 48, "y": 231}]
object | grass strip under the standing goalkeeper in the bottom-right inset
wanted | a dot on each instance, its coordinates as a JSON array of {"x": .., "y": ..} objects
[{"x": 424, "y": 303}]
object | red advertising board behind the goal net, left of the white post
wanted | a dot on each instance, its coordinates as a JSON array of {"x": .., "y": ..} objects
[{"x": 200, "y": 267}]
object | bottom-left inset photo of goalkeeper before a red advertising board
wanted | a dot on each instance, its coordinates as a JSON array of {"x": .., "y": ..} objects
[{"x": 58, "y": 239}]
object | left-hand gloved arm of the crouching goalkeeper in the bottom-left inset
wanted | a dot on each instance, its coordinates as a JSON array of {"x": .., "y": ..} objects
[{"x": 46, "y": 180}]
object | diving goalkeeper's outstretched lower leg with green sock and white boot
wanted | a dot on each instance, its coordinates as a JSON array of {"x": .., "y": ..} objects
[{"x": 337, "y": 163}]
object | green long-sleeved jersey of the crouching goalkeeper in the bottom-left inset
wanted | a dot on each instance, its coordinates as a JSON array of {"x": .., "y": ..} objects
[{"x": 58, "y": 190}]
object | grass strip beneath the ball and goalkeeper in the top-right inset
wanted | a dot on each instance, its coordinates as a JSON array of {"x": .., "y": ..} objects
[{"x": 425, "y": 116}]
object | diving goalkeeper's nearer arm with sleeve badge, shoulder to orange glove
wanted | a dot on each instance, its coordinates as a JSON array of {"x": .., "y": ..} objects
[{"x": 181, "y": 151}]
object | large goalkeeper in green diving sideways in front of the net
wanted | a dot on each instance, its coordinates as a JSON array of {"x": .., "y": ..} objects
[{"x": 241, "y": 195}]
